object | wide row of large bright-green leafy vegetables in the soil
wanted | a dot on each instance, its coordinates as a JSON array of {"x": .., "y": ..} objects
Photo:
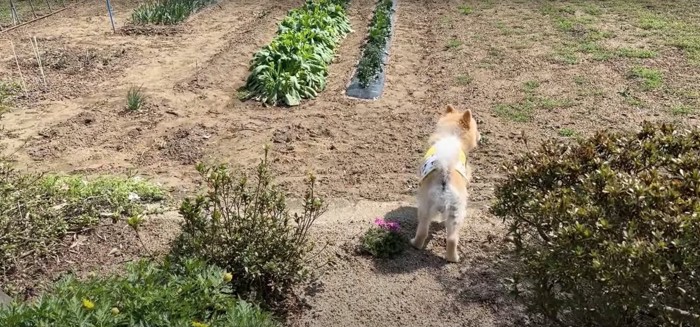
[{"x": 294, "y": 65}]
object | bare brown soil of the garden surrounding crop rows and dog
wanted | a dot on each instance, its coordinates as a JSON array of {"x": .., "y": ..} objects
[{"x": 530, "y": 71}]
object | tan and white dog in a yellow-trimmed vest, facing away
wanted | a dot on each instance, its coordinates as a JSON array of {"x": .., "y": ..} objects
[{"x": 445, "y": 175}]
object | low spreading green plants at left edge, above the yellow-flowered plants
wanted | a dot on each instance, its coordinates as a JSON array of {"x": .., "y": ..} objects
[{"x": 37, "y": 211}]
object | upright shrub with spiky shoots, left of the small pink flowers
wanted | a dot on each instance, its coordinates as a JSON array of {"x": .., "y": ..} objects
[{"x": 244, "y": 226}]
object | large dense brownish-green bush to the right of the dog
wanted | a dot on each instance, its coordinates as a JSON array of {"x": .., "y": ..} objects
[{"x": 608, "y": 230}]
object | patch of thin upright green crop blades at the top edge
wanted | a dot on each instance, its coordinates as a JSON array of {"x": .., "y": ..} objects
[{"x": 167, "y": 12}]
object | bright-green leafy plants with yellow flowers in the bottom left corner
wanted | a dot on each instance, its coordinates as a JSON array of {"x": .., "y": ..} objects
[{"x": 167, "y": 295}]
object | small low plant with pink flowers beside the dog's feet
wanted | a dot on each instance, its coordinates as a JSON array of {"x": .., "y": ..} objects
[{"x": 383, "y": 240}]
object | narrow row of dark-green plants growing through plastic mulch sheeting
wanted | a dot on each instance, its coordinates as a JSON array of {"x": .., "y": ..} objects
[{"x": 370, "y": 65}]
